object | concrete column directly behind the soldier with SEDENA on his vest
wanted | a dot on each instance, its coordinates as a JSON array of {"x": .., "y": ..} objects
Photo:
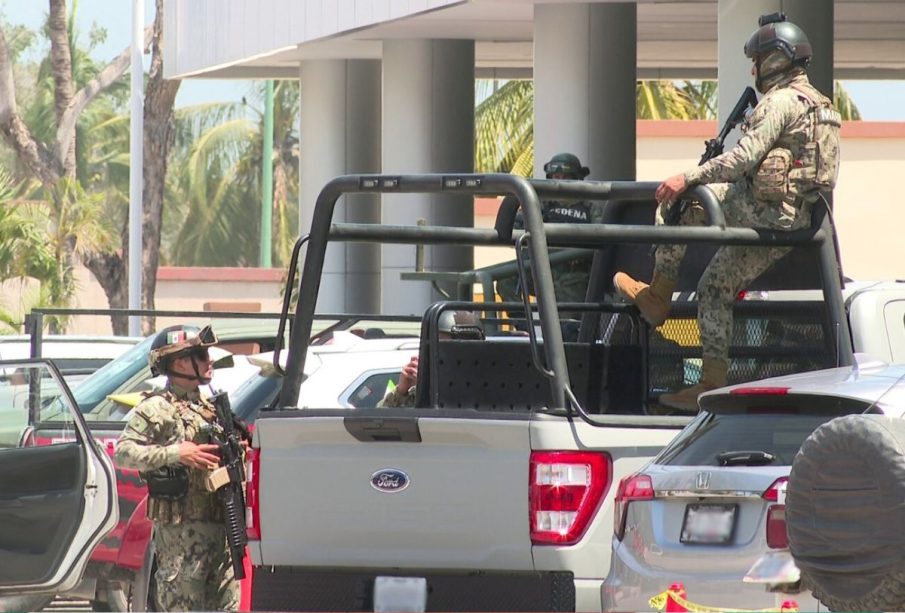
[{"x": 584, "y": 86}]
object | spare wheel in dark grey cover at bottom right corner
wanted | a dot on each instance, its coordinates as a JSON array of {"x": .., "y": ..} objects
[{"x": 844, "y": 513}]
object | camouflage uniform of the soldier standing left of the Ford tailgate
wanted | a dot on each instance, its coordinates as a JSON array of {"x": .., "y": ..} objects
[{"x": 194, "y": 567}]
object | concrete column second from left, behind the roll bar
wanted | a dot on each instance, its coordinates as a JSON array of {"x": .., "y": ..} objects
[{"x": 428, "y": 126}]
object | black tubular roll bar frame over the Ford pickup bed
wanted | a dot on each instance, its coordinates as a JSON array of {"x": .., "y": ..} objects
[{"x": 540, "y": 236}]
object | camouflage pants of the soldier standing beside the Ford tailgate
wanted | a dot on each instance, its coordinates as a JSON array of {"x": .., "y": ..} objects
[{"x": 194, "y": 568}]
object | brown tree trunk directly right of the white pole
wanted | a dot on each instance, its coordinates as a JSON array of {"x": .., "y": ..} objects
[{"x": 159, "y": 135}]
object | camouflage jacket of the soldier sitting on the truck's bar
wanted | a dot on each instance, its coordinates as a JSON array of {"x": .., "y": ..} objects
[{"x": 782, "y": 119}]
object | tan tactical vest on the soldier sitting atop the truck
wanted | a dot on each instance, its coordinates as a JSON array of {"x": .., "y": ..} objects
[{"x": 817, "y": 166}]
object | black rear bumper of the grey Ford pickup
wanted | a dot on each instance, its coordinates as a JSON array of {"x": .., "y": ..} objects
[{"x": 298, "y": 589}]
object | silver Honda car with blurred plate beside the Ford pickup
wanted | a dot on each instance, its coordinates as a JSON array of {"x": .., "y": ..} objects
[{"x": 709, "y": 505}]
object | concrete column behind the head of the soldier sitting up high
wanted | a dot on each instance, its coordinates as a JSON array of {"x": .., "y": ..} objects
[{"x": 736, "y": 21}]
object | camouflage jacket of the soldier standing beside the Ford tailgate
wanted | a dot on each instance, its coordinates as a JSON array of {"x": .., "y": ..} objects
[{"x": 151, "y": 440}]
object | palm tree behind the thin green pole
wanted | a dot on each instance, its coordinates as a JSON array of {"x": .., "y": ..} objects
[{"x": 214, "y": 199}]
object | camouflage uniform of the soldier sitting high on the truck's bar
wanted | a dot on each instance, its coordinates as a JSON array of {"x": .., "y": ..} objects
[{"x": 781, "y": 120}]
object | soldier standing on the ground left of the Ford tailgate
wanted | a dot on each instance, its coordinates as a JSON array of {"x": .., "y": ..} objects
[{"x": 169, "y": 439}]
